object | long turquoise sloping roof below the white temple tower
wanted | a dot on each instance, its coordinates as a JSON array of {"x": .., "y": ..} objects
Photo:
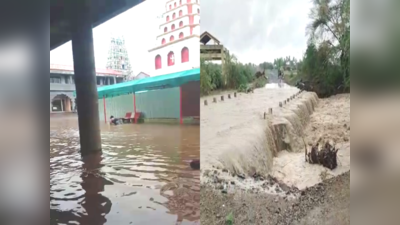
[{"x": 150, "y": 83}]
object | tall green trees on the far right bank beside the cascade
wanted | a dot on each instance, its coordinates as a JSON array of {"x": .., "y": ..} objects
[{"x": 326, "y": 63}]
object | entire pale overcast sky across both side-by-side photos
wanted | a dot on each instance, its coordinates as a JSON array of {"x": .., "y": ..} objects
[{"x": 254, "y": 30}]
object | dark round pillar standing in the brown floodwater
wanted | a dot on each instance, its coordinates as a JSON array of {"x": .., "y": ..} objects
[{"x": 85, "y": 77}]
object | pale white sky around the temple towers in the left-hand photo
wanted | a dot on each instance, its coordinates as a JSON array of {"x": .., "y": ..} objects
[{"x": 139, "y": 26}]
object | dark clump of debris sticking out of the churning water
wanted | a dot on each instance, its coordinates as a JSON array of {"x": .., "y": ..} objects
[{"x": 327, "y": 156}]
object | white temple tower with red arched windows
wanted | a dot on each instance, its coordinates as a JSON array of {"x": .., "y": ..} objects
[{"x": 177, "y": 45}]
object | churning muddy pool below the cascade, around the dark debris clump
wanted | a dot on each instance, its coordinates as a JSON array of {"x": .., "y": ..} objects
[{"x": 329, "y": 122}]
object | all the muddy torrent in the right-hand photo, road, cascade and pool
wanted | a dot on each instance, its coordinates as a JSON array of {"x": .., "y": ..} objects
[{"x": 235, "y": 138}]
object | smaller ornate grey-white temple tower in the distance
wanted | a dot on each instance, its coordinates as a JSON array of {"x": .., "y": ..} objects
[{"x": 118, "y": 59}]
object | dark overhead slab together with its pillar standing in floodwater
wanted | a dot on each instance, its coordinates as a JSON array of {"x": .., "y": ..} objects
[{"x": 74, "y": 20}]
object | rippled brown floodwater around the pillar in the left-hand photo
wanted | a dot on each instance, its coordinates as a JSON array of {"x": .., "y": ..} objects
[{"x": 142, "y": 177}]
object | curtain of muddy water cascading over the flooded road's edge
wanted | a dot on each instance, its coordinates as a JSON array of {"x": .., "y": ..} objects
[{"x": 261, "y": 140}]
